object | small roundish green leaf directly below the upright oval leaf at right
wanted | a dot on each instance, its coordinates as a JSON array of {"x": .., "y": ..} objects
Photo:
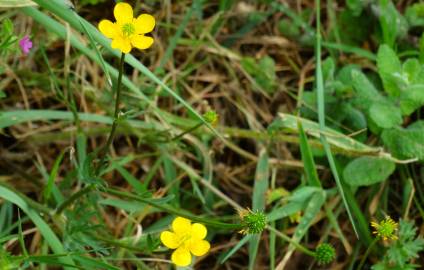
[{"x": 385, "y": 115}]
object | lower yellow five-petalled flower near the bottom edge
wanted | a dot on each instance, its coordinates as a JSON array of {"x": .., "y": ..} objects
[{"x": 186, "y": 239}]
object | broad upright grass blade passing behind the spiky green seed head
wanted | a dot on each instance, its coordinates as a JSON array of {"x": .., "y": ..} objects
[{"x": 258, "y": 201}]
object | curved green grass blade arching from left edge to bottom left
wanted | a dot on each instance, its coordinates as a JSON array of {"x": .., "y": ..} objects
[{"x": 48, "y": 234}]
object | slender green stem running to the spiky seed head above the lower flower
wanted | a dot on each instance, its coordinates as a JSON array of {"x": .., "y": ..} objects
[{"x": 171, "y": 210}]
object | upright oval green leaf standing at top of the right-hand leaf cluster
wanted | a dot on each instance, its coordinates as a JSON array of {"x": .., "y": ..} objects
[{"x": 388, "y": 65}]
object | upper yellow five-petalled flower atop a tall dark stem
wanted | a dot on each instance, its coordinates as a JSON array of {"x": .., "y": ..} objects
[{"x": 128, "y": 32}]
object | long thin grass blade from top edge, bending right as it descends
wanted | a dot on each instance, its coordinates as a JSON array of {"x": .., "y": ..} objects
[{"x": 321, "y": 113}]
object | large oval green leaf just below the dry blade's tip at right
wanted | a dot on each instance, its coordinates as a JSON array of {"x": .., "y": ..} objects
[{"x": 365, "y": 171}]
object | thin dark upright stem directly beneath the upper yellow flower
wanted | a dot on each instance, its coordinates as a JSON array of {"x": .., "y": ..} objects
[{"x": 103, "y": 151}]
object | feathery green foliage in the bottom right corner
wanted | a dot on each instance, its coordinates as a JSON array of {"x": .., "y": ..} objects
[{"x": 400, "y": 253}]
